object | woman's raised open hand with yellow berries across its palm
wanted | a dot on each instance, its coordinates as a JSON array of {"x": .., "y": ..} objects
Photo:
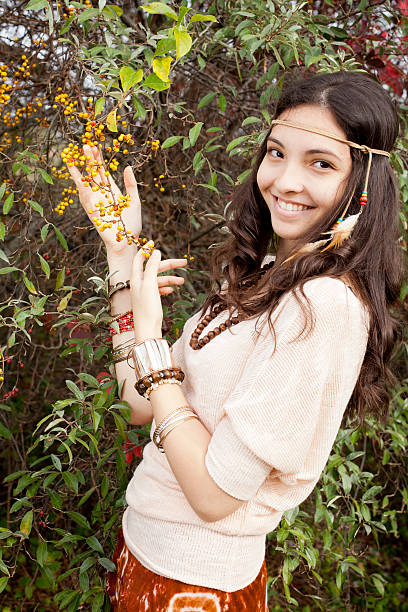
[{"x": 91, "y": 200}]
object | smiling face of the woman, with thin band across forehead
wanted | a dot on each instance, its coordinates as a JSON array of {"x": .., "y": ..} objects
[{"x": 303, "y": 175}]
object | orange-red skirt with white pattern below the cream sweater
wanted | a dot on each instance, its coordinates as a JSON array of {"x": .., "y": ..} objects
[{"x": 134, "y": 588}]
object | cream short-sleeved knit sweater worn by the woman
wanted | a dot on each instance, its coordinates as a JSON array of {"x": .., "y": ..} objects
[{"x": 273, "y": 416}]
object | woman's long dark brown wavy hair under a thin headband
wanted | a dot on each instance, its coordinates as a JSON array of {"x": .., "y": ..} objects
[{"x": 371, "y": 259}]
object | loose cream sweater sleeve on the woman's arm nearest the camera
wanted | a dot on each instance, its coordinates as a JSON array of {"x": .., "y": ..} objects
[{"x": 280, "y": 422}]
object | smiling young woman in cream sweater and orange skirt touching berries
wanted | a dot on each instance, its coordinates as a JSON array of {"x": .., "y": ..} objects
[{"x": 243, "y": 432}]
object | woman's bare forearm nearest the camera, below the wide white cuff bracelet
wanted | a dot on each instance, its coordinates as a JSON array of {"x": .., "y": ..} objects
[{"x": 186, "y": 448}]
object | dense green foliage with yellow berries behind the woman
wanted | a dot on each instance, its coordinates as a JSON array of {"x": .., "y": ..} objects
[{"x": 182, "y": 91}]
